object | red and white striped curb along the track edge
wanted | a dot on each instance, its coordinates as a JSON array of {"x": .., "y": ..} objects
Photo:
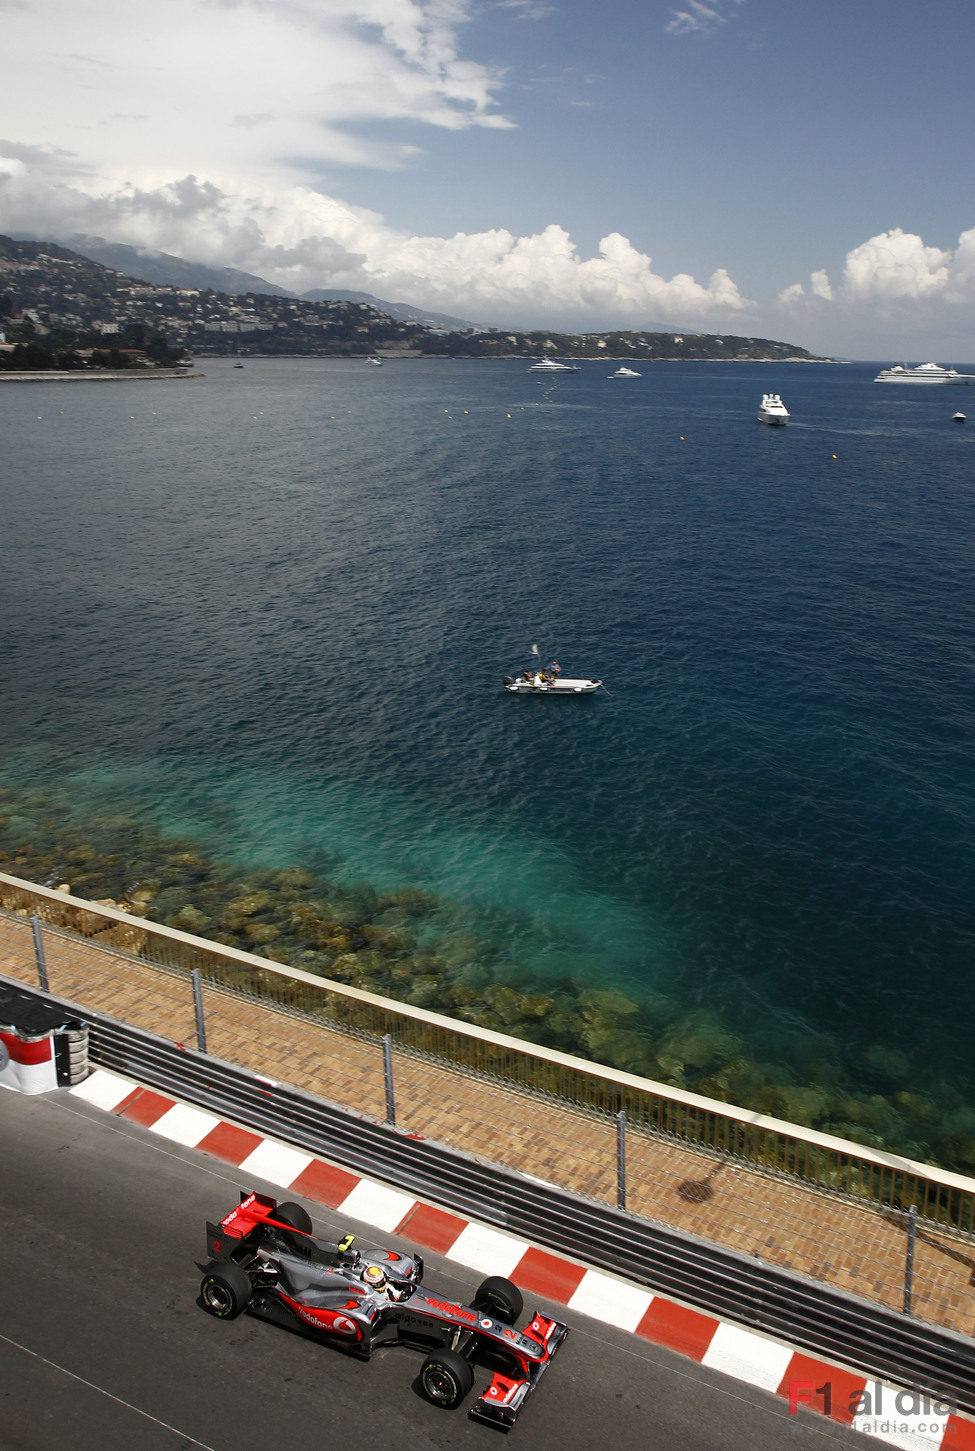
[{"x": 890, "y": 1414}]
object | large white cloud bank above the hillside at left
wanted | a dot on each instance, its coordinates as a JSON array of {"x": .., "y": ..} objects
[{"x": 215, "y": 130}]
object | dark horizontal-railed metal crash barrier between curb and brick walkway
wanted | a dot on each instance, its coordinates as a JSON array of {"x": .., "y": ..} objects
[{"x": 728, "y": 1285}]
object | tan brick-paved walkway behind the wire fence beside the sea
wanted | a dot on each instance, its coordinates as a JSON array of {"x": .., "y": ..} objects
[{"x": 826, "y": 1238}]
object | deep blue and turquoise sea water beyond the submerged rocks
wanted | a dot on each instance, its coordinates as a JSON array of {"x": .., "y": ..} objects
[{"x": 273, "y": 607}]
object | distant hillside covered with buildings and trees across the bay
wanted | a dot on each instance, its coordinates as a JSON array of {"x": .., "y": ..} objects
[{"x": 60, "y": 310}]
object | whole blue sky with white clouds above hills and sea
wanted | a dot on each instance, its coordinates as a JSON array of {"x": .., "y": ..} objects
[{"x": 789, "y": 169}]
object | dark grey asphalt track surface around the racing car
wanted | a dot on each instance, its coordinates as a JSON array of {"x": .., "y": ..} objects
[{"x": 104, "y": 1344}]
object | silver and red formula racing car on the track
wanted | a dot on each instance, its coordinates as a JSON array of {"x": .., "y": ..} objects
[{"x": 266, "y": 1260}]
